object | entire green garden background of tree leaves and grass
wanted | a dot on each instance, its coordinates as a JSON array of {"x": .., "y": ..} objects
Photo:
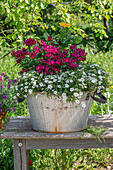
[{"x": 21, "y": 19}]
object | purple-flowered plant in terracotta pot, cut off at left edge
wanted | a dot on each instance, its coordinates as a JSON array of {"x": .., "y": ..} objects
[{"x": 7, "y": 97}]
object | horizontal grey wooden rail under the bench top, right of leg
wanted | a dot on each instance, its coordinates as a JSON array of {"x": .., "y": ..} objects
[{"x": 68, "y": 143}]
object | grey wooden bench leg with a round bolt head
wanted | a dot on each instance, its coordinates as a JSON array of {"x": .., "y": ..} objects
[{"x": 21, "y": 155}]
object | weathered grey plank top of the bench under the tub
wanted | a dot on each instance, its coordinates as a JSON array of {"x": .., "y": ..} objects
[{"x": 20, "y": 127}]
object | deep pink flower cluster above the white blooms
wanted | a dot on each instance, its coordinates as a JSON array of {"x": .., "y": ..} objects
[{"x": 49, "y": 59}]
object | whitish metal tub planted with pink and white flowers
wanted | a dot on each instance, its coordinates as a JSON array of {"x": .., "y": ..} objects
[{"x": 59, "y": 84}]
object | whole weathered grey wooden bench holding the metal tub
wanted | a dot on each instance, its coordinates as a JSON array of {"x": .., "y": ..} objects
[{"x": 25, "y": 138}]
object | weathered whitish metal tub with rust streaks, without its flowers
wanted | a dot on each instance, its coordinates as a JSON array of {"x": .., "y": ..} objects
[{"x": 53, "y": 115}]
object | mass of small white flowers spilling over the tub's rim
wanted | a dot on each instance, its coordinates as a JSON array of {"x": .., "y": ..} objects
[{"x": 70, "y": 86}]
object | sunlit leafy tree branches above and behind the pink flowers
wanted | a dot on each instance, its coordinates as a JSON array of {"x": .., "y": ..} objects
[{"x": 21, "y": 19}]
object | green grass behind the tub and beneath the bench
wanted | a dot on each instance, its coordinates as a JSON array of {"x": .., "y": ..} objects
[{"x": 84, "y": 159}]
